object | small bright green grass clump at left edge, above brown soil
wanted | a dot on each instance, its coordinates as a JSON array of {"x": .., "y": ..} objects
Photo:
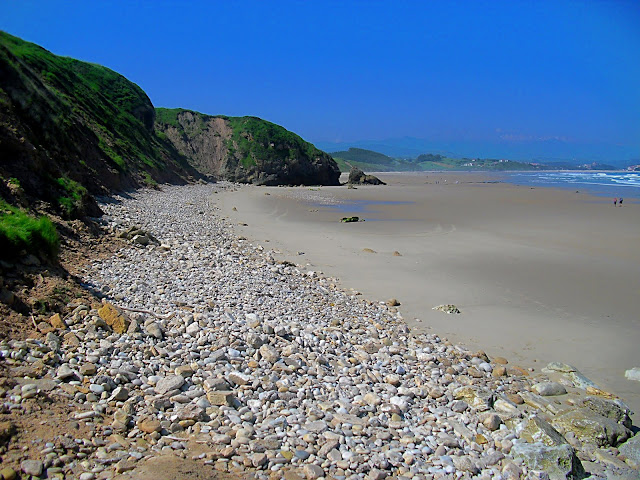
[{"x": 20, "y": 231}]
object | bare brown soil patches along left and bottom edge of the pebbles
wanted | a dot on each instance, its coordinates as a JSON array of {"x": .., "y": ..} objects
[{"x": 39, "y": 291}]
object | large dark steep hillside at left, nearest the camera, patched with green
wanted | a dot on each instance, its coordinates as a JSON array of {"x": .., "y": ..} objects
[{"x": 70, "y": 128}]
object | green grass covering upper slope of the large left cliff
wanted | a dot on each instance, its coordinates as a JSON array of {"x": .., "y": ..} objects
[{"x": 76, "y": 96}]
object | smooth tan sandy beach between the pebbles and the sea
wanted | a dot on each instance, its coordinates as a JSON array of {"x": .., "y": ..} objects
[{"x": 539, "y": 274}]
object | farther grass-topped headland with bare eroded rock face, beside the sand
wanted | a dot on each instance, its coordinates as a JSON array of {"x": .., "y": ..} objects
[{"x": 245, "y": 149}]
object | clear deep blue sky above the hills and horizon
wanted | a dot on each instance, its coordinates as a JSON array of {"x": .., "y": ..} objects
[{"x": 345, "y": 71}]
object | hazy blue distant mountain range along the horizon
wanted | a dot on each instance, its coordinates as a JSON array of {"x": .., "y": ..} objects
[{"x": 543, "y": 151}]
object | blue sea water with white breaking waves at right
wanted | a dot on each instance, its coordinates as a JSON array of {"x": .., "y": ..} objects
[{"x": 607, "y": 184}]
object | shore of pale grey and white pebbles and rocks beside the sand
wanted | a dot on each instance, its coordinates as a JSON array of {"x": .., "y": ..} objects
[{"x": 210, "y": 348}]
